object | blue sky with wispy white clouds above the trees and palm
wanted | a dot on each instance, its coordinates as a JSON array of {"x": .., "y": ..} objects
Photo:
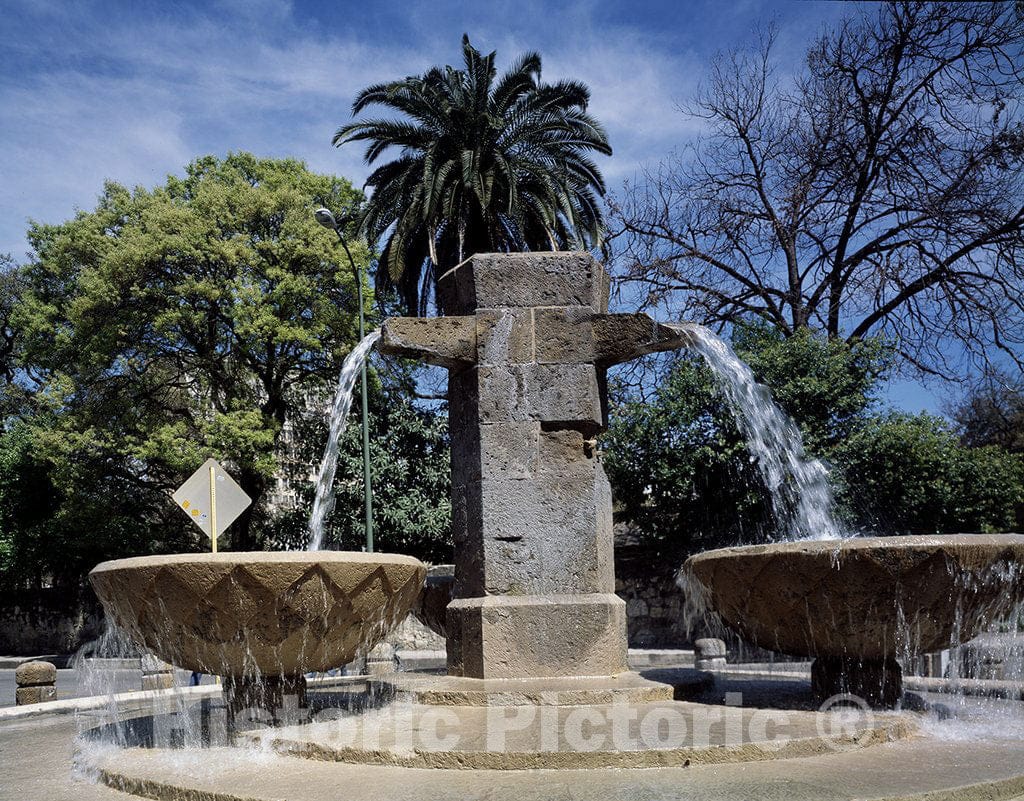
[{"x": 133, "y": 92}]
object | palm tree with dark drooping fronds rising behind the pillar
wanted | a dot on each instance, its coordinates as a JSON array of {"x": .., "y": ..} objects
[{"x": 486, "y": 165}]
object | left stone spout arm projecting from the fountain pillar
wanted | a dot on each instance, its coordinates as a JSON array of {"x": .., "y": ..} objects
[{"x": 449, "y": 343}]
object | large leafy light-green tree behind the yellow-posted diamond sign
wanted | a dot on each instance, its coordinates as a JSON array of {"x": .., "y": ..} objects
[{"x": 170, "y": 325}]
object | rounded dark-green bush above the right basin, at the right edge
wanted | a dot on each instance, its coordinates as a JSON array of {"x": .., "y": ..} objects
[{"x": 911, "y": 475}]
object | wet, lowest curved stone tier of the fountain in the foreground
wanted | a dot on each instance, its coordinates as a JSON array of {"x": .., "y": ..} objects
[{"x": 919, "y": 770}]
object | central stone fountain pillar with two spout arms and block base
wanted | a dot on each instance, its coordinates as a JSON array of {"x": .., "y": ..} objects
[{"x": 532, "y": 507}]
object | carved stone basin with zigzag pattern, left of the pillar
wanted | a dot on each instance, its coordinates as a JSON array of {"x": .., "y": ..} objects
[{"x": 265, "y": 614}]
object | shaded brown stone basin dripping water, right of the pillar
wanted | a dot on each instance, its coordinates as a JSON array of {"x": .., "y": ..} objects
[{"x": 859, "y": 605}]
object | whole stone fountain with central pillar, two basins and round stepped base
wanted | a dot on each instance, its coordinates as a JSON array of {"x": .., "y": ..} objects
[{"x": 537, "y": 649}]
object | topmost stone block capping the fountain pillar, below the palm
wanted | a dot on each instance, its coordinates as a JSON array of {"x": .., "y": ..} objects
[{"x": 537, "y": 279}]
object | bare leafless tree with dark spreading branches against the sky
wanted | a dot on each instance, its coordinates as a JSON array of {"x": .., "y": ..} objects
[{"x": 878, "y": 192}]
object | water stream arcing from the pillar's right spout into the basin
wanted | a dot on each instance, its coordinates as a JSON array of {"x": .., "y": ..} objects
[{"x": 802, "y": 499}]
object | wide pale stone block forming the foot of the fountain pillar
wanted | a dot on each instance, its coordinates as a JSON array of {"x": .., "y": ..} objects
[{"x": 537, "y": 637}]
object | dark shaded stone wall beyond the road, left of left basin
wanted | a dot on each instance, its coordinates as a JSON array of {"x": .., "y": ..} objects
[{"x": 49, "y": 621}]
